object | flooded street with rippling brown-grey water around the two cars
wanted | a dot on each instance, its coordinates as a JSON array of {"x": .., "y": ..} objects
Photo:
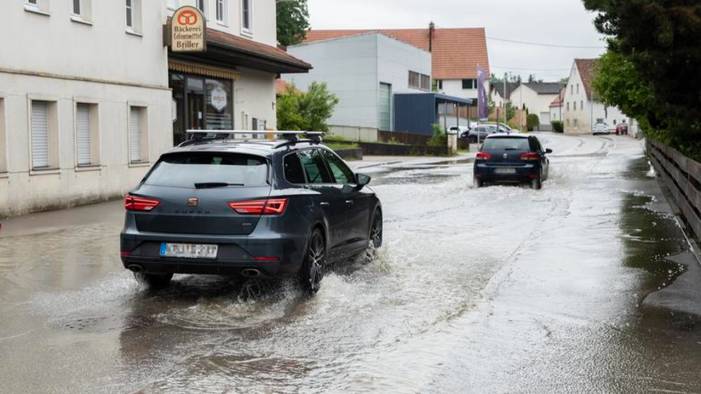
[{"x": 498, "y": 289}]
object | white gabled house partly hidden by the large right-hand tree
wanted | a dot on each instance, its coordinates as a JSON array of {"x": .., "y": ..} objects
[{"x": 581, "y": 108}]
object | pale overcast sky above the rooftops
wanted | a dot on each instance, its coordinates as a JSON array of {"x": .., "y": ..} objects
[{"x": 562, "y": 22}]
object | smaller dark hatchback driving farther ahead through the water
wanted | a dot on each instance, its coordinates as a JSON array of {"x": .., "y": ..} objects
[{"x": 513, "y": 158}]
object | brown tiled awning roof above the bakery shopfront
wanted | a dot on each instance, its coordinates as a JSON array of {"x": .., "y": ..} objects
[{"x": 230, "y": 51}]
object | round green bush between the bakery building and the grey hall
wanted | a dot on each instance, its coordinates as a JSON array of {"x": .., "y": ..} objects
[{"x": 308, "y": 111}]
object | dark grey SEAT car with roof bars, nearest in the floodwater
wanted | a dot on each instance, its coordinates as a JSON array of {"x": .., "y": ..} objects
[{"x": 250, "y": 208}]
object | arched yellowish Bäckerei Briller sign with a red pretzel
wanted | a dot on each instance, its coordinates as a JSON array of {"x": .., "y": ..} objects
[{"x": 187, "y": 30}]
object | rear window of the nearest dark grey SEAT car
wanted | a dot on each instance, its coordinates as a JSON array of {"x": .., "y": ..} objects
[{"x": 188, "y": 169}]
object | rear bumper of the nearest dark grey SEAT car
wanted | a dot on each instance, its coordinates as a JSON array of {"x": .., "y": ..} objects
[{"x": 282, "y": 254}]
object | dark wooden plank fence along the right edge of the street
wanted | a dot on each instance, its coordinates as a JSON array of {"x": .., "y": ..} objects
[{"x": 682, "y": 177}]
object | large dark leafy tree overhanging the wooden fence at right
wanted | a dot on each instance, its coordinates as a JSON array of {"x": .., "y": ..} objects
[{"x": 659, "y": 43}]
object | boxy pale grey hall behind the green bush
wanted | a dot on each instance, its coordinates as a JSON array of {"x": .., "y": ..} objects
[{"x": 364, "y": 71}]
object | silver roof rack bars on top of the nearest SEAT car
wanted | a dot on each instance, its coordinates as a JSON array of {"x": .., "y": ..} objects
[{"x": 291, "y": 137}]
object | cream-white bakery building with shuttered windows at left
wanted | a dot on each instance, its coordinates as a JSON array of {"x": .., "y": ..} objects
[{"x": 90, "y": 95}]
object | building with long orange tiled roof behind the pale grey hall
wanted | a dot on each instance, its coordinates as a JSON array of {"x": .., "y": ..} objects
[{"x": 456, "y": 54}]
